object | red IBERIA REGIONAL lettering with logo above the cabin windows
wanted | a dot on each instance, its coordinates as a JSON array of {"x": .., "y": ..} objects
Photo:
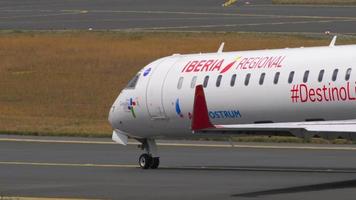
[{"x": 241, "y": 63}]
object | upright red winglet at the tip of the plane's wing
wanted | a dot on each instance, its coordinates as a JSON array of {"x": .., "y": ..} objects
[{"x": 200, "y": 118}]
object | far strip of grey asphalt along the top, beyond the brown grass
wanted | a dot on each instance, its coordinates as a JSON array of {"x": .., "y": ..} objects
[{"x": 173, "y": 15}]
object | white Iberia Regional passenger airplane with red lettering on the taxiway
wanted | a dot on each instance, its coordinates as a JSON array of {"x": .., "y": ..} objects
[{"x": 304, "y": 92}]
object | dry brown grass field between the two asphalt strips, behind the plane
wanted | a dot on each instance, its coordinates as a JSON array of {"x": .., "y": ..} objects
[{"x": 66, "y": 82}]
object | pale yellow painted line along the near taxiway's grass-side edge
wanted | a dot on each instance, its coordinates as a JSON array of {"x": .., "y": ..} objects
[{"x": 175, "y": 144}]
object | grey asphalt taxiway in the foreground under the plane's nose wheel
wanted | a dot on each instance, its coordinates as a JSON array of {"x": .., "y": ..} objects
[{"x": 97, "y": 168}]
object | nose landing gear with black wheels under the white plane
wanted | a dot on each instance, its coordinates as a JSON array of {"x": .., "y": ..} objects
[{"x": 150, "y": 158}]
